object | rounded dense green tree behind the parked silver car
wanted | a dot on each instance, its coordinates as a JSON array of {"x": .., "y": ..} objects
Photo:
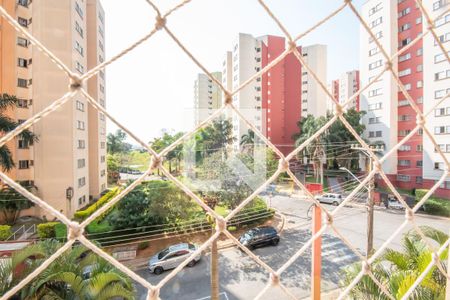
[{"x": 152, "y": 203}]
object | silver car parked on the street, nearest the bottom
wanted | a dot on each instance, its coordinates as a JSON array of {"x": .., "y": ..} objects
[{"x": 172, "y": 257}]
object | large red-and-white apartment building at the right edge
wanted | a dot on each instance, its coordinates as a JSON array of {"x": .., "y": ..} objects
[{"x": 390, "y": 117}]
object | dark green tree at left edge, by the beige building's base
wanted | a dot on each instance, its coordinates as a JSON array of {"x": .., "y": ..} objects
[{"x": 12, "y": 203}]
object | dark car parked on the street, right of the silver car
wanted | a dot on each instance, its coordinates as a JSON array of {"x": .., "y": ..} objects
[{"x": 258, "y": 237}]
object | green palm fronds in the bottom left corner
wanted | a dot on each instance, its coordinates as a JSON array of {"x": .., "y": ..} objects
[{"x": 76, "y": 274}]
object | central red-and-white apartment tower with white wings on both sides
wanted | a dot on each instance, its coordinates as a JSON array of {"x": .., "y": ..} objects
[{"x": 273, "y": 101}]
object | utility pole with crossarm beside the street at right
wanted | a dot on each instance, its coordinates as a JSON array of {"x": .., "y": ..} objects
[{"x": 370, "y": 200}]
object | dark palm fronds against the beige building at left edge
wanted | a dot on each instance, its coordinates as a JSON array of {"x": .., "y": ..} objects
[{"x": 8, "y": 124}]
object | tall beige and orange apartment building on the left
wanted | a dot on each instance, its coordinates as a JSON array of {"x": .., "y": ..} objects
[{"x": 67, "y": 165}]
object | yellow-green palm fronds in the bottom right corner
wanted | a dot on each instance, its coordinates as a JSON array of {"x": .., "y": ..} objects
[{"x": 397, "y": 271}]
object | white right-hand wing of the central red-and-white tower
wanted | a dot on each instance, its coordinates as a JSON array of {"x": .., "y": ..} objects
[{"x": 313, "y": 96}]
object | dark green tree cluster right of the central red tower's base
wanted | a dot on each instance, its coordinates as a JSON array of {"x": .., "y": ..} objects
[{"x": 317, "y": 150}]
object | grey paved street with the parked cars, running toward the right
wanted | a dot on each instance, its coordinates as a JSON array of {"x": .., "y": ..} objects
[{"x": 242, "y": 278}]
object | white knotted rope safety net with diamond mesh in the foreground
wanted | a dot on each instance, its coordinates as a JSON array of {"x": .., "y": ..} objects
[{"x": 75, "y": 229}]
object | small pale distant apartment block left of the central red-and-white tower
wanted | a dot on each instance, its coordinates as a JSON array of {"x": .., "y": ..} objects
[{"x": 207, "y": 96}]
